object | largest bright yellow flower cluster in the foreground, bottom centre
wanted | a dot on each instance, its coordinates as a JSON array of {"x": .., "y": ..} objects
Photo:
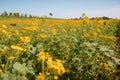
[{"x": 54, "y": 67}]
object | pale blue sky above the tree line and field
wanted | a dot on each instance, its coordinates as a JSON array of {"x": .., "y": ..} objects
[{"x": 63, "y": 8}]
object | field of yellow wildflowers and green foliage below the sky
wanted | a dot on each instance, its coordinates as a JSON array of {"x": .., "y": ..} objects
[{"x": 51, "y": 49}]
